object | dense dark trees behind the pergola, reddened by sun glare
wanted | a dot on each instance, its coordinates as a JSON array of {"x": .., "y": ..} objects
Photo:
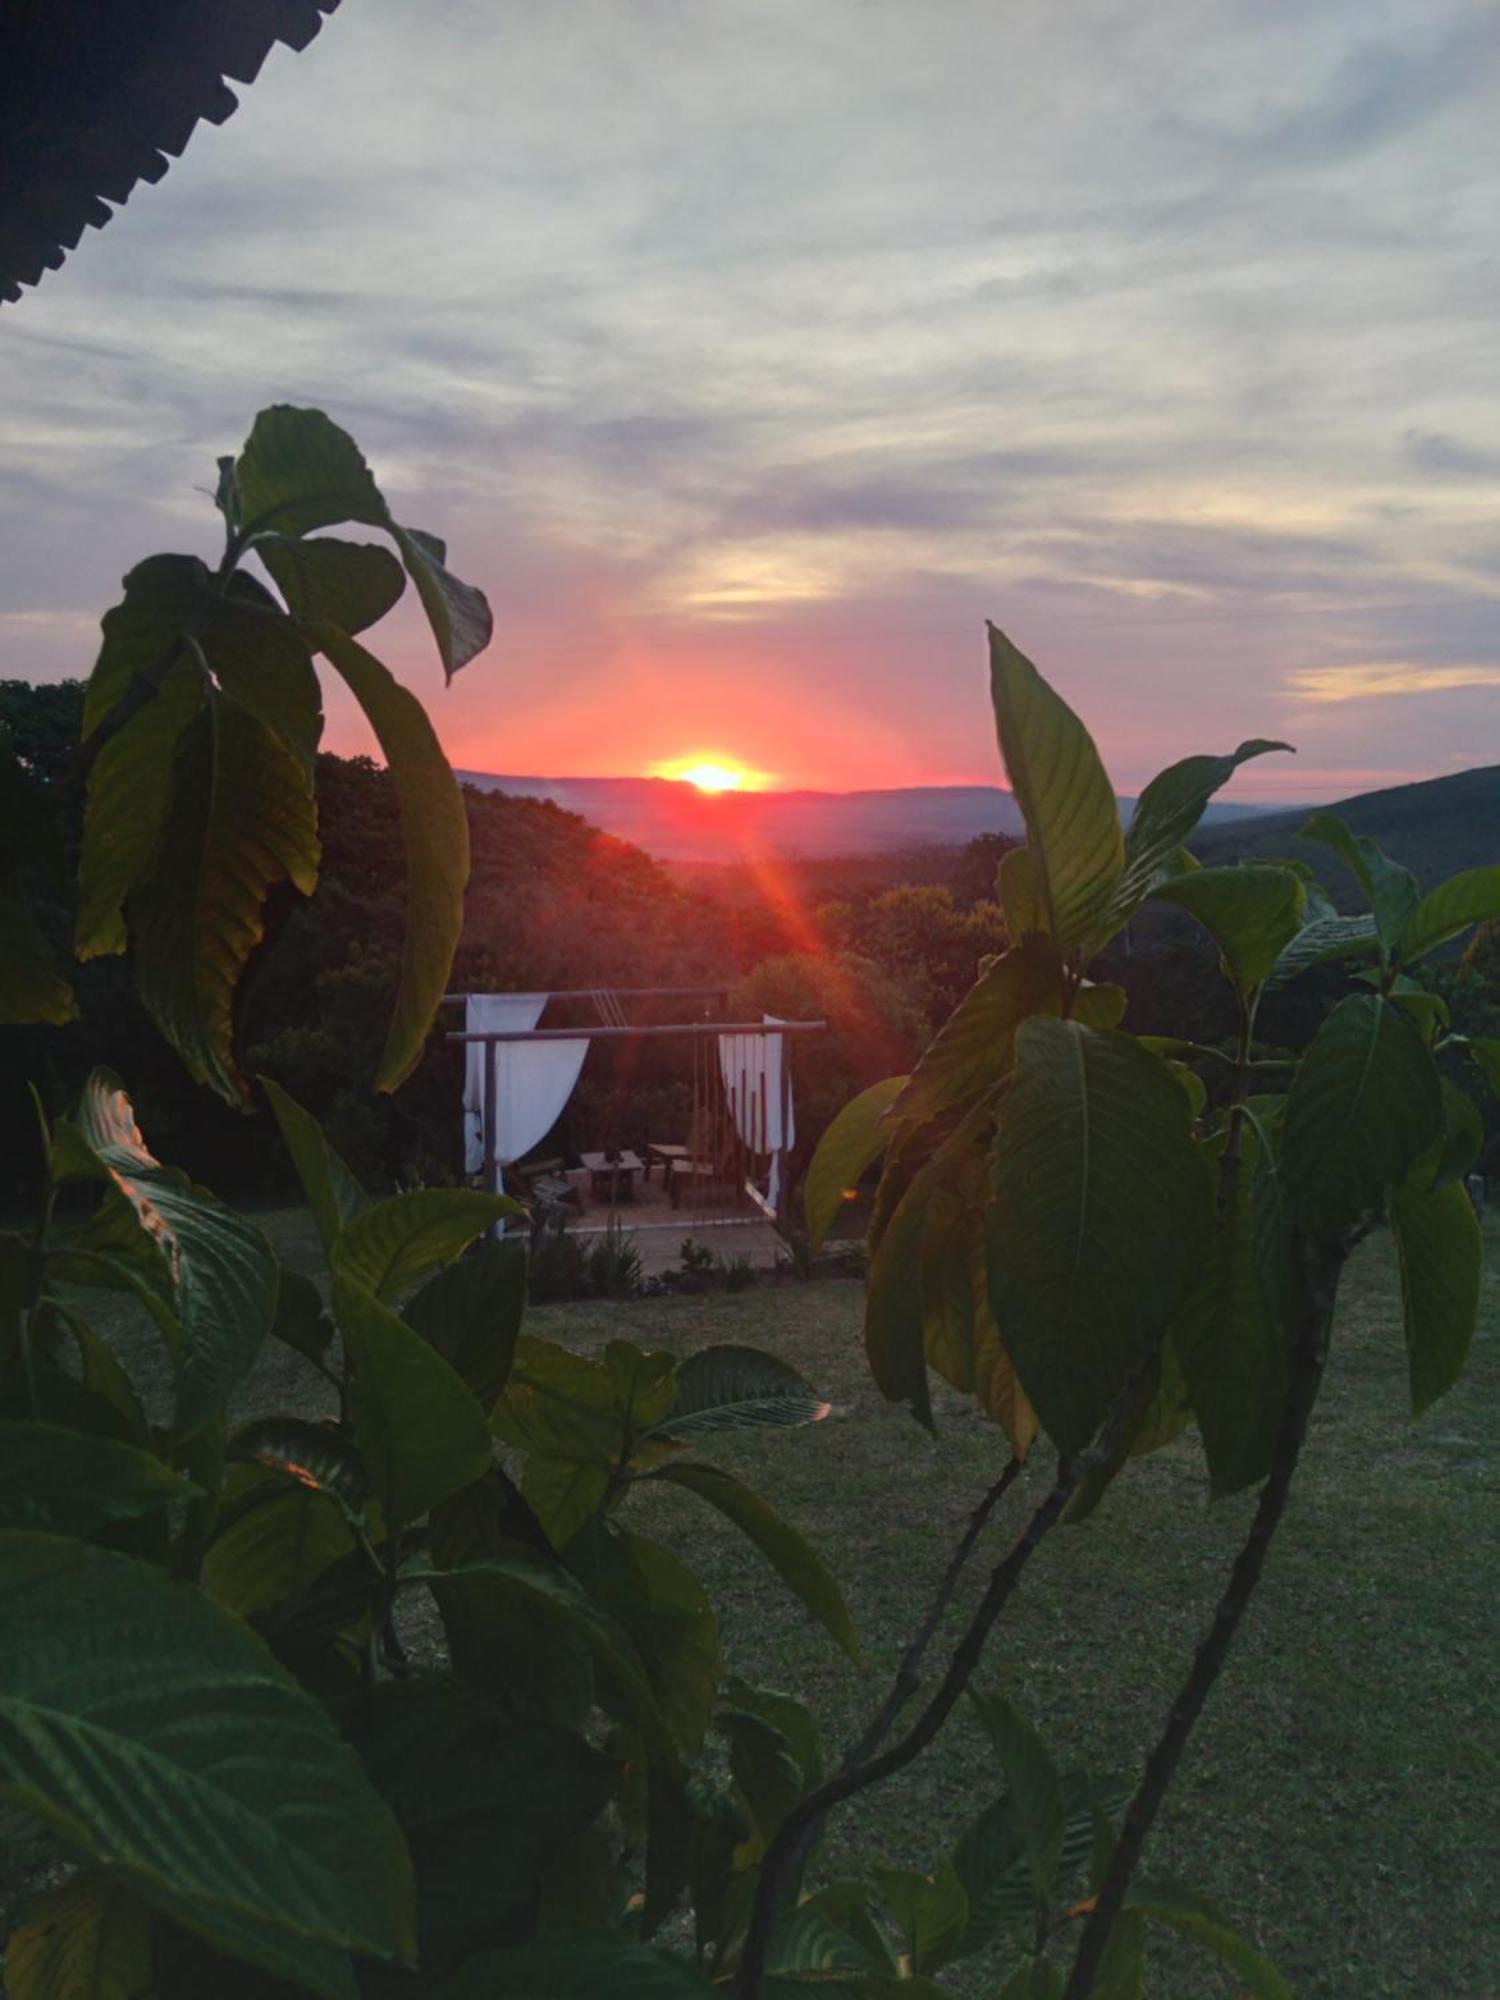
[{"x": 879, "y": 947}]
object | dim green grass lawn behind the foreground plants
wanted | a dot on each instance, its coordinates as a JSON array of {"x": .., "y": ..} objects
[{"x": 1343, "y": 1793}]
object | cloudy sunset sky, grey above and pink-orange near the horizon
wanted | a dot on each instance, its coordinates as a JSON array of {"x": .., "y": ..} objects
[{"x": 753, "y": 353}]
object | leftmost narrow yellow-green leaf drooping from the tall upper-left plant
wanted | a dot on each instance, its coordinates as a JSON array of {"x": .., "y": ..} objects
[{"x": 129, "y": 805}]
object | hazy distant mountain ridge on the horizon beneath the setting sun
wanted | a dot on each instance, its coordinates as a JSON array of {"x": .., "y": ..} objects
[{"x": 679, "y": 823}]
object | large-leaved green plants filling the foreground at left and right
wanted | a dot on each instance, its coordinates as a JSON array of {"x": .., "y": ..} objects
[{"x": 217, "y": 1687}]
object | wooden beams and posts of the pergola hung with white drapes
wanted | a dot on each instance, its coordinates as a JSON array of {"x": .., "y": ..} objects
[{"x": 767, "y": 1121}]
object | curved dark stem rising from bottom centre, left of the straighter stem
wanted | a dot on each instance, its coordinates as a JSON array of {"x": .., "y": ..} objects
[{"x": 805, "y": 1819}]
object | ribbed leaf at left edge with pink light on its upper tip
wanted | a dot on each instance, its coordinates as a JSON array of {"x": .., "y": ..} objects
[{"x": 223, "y": 1271}]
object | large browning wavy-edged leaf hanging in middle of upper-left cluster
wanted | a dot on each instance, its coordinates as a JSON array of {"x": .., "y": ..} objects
[{"x": 243, "y": 821}]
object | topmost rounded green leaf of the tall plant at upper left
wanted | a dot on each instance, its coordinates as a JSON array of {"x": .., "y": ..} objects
[{"x": 299, "y": 471}]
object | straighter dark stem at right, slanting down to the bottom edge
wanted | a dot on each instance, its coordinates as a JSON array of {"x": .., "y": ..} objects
[{"x": 1309, "y": 1353}]
